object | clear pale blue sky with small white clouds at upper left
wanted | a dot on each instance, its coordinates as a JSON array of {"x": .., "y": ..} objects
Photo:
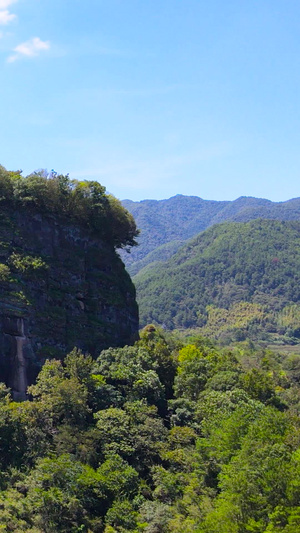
[{"x": 154, "y": 97}]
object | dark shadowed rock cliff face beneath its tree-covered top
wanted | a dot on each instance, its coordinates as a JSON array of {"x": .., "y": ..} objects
[{"x": 60, "y": 287}]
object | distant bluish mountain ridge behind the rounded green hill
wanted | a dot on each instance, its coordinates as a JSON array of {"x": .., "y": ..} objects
[{"x": 179, "y": 218}]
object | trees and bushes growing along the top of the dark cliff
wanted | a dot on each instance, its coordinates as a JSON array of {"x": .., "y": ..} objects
[{"x": 83, "y": 202}]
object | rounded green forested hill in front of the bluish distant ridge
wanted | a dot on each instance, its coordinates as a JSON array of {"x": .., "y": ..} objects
[{"x": 234, "y": 277}]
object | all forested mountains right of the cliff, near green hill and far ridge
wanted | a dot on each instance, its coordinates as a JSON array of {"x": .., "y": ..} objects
[{"x": 229, "y": 280}]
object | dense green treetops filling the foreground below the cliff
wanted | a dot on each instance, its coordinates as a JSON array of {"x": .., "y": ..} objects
[{"x": 159, "y": 437}]
